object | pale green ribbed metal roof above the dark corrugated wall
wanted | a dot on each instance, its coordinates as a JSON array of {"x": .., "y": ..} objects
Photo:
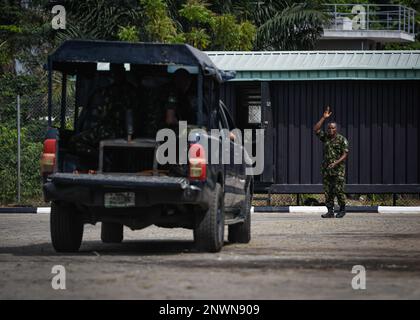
[{"x": 319, "y": 65}]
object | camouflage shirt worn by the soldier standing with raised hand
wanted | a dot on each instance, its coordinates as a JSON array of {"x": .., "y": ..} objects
[{"x": 333, "y": 150}]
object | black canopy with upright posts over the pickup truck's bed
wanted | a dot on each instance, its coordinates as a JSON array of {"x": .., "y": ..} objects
[{"x": 78, "y": 56}]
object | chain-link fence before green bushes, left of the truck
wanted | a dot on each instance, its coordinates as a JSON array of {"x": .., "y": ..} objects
[{"x": 24, "y": 131}]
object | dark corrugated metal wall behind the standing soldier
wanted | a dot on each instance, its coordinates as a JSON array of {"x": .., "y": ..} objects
[{"x": 379, "y": 118}]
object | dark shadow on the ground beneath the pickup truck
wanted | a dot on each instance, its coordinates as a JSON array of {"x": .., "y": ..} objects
[{"x": 97, "y": 248}]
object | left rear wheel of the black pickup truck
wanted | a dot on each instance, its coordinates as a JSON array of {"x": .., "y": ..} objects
[{"x": 66, "y": 227}]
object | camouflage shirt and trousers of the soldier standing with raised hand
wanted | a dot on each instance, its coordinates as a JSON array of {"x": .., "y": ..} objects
[{"x": 333, "y": 179}]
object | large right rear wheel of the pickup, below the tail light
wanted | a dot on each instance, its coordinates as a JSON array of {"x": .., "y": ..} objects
[{"x": 209, "y": 230}]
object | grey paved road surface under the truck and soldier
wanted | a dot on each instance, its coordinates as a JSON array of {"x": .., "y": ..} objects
[{"x": 291, "y": 256}]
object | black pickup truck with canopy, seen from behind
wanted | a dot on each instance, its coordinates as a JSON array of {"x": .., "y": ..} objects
[{"x": 103, "y": 161}]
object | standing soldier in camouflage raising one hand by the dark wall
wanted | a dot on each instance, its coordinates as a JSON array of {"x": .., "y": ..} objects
[{"x": 336, "y": 148}]
